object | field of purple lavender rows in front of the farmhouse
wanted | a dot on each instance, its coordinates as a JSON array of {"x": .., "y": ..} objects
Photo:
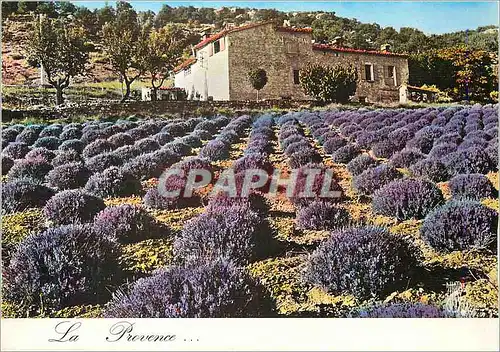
[{"x": 87, "y": 232}]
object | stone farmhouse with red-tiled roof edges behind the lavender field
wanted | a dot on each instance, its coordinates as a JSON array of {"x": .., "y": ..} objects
[{"x": 220, "y": 64}]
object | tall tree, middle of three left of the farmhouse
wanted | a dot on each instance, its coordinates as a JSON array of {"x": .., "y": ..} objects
[{"x": 124, "y": 41}]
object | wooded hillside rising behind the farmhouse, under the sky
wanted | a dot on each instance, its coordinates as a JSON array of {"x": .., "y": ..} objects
[{"x": 125, "y": 46}]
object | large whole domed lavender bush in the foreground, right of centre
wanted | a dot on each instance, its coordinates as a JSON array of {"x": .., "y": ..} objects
[{"x": 365, "y": 262}]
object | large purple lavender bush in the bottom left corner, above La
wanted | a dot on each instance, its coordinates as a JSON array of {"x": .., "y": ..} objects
[{"x": 61, "y": 267}]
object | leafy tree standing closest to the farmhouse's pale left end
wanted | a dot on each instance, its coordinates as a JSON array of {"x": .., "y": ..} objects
[{"x": 164, "y": 48}]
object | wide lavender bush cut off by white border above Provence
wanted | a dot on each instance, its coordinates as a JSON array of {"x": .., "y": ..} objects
[{"x": 216, "y": 289}]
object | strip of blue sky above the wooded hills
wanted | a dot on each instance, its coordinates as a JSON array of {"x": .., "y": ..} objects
[{"x": 430, "y": 17}]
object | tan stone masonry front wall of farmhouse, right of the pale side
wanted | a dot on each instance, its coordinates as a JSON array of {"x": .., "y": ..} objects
[{"x": 279, "y": 53}]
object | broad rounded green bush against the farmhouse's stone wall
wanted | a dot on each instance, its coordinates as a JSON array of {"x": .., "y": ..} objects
[{"x": 329, "y": 83}]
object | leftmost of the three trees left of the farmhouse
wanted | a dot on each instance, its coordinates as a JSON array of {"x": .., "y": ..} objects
[{"x": 61, "y": 49}]
